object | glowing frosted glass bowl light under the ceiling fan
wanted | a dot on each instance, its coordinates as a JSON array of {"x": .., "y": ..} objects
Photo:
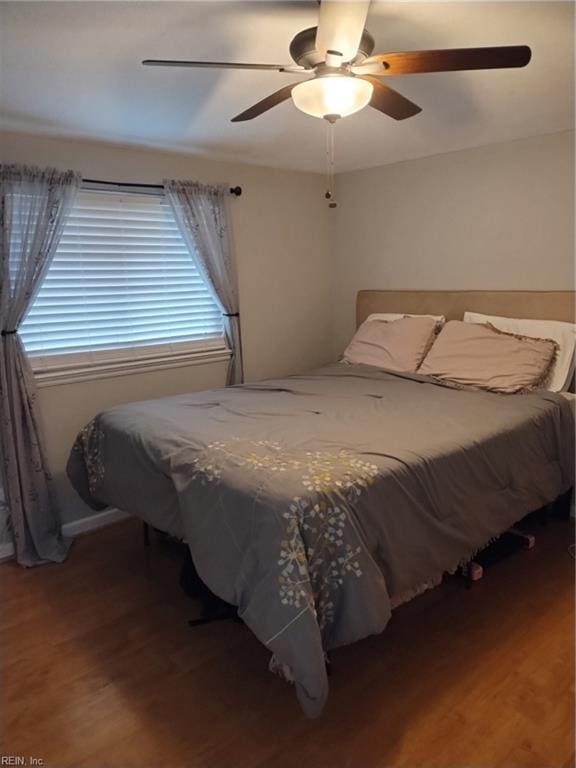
[{"x": 332, "y": 95}]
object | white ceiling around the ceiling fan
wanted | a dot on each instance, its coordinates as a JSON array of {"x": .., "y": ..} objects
[{"x": 73, "y": 68}]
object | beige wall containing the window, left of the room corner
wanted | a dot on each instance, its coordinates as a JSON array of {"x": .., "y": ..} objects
[{"x": 280, "y": 228}]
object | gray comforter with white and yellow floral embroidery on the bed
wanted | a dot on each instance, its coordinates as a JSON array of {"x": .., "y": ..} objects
[{"x": 317, "y": 503}]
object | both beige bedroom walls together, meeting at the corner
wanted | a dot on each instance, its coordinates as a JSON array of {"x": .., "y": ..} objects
[{"x": 492, "y": 217}]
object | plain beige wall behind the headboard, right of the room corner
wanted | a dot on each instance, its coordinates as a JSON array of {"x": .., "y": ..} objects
[{"x": 499, "y": 217}]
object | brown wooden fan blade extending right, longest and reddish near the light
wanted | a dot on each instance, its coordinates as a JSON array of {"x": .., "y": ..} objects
[{"x": 450, "y": 60}]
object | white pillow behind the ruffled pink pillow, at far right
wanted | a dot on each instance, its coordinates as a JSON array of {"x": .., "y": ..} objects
[{"x": 564, "y": 334}]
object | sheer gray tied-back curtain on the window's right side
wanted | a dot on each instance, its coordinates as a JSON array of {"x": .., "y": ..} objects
[{"x": 201, "y": 212}]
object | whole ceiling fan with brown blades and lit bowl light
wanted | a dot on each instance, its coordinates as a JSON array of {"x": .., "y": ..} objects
[{"x": 342, "y": 75}]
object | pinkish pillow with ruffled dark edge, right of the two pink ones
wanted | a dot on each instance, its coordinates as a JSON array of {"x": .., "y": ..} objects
[{"x": 481, "y": 356}]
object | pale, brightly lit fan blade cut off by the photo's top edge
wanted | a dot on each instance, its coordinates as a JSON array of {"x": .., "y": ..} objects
[{"x": 340, "y": 26}]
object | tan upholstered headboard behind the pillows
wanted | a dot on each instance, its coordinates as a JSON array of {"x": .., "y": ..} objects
[{"x": 538, "y": 305}]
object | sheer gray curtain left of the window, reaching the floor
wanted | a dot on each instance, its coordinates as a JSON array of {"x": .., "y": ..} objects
[{"x": 34, "y": 204}]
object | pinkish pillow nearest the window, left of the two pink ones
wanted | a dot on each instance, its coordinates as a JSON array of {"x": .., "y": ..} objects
[{"x": 399, "y": 345}]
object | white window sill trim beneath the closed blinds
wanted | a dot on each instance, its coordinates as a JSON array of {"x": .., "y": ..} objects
[{"x": 49, "y": 374}]
